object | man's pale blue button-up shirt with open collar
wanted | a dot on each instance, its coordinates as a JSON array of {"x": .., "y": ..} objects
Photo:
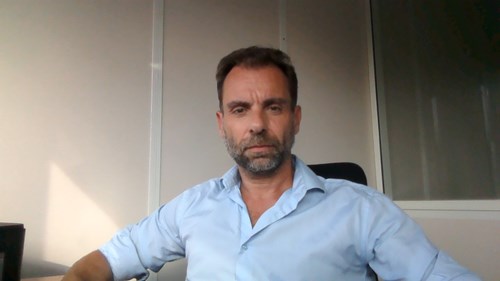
[{"x": 319, "y": 229}]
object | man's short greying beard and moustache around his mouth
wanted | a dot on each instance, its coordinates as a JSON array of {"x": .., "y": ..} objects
[{"x": 262, "y": 163}]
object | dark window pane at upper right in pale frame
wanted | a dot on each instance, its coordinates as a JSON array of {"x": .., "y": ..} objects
[{"x": 437, "y": 71}]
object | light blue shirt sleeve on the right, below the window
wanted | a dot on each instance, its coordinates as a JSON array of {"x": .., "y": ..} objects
[{"x": 398, "y": 249}]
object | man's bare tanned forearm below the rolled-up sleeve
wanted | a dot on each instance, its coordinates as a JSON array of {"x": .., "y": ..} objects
[{"x": 93, "y": 266}]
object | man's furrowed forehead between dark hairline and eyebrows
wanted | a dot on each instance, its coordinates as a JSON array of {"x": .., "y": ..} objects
[{"x": 242, "y": 82}]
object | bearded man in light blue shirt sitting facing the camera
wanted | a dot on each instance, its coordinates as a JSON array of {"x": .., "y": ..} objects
[{"x": 270, "y": 217}]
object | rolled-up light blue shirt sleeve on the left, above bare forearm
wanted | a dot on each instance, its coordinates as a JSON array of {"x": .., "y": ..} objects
[{"x": 144, "y": 246}]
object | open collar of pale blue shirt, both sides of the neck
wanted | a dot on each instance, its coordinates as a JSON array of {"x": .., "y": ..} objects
[{"x": 304, "y": 178}]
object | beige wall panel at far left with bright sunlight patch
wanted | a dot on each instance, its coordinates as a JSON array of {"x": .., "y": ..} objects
[{"x": 74, "y": 123}]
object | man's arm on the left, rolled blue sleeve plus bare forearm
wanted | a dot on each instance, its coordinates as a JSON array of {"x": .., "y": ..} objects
[{"x": 133, "y": 250}]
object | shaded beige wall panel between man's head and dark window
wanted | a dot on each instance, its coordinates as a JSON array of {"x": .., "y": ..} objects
[{"x": 328, "y": 42}]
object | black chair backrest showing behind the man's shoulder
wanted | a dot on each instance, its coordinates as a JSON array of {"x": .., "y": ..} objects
[{"x": 340, "y": 170}]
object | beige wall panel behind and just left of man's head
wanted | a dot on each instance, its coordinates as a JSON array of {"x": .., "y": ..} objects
[{"x": 197, "y": 35}]
